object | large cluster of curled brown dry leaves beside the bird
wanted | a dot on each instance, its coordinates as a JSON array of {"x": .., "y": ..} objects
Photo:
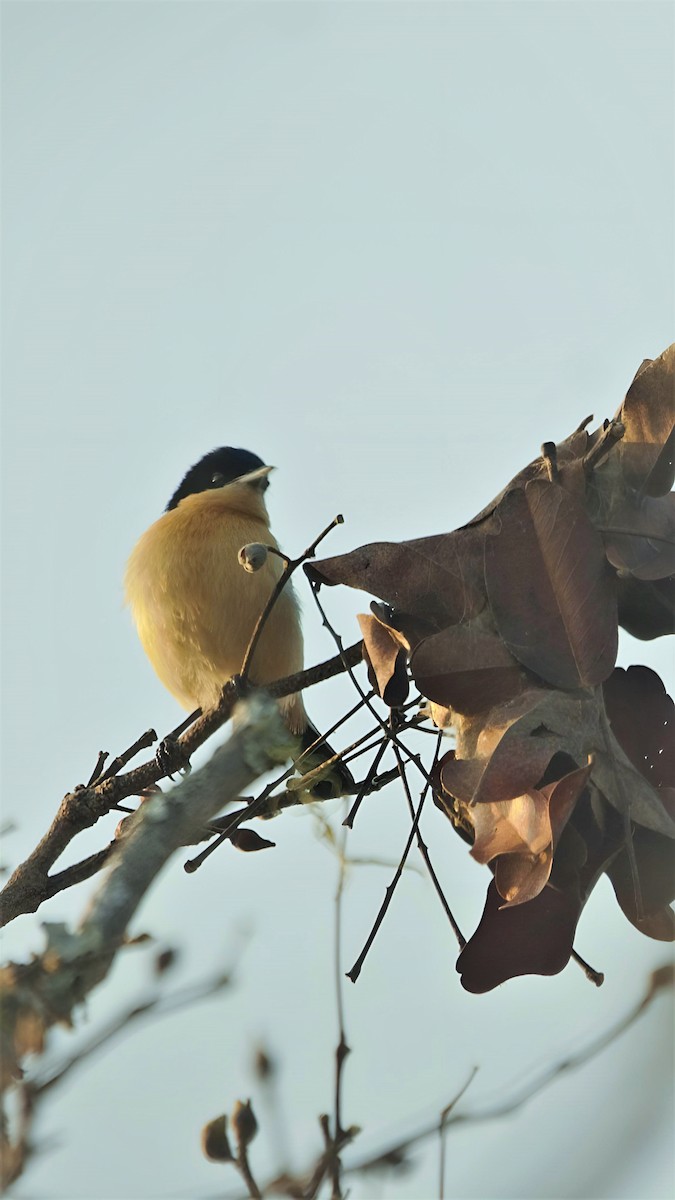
[{"x": 564, "y": 767}]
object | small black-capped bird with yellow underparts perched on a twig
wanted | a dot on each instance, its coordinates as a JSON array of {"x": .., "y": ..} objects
[{"x": 195, "y": 608}]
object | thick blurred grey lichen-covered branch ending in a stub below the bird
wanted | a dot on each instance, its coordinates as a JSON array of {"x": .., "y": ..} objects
[{"x": 47, "y": 991}]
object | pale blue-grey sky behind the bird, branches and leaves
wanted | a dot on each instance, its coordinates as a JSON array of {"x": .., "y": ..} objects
[{"x": 392, "y": 249}]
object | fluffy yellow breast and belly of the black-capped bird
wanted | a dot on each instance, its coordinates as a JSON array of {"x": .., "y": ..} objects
[{"x": 195, "y": 607}]
